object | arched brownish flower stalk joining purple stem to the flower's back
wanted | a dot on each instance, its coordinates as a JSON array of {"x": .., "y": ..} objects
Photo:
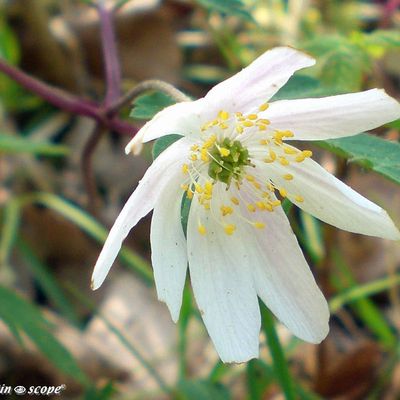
[{"x": 144, "y": 86}]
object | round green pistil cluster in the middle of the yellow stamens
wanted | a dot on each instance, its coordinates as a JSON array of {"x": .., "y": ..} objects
[{"x": 227, "y": 161}]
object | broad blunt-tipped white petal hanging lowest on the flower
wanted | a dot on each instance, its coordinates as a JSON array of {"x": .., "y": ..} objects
[{"x": 223, "y": 287}]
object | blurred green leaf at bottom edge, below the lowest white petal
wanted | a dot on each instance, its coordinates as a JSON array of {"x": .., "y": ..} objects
[{"x": 202, "y": 390}]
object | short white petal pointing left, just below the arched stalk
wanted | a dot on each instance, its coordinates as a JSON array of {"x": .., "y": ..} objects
[{"x": 184, "y": 118}]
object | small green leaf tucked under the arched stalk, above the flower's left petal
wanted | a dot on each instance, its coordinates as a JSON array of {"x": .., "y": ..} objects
[{"x": 149, "y": 104}]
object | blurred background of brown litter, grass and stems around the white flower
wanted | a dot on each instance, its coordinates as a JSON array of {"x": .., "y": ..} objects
[{"x": 64, "y": 178}]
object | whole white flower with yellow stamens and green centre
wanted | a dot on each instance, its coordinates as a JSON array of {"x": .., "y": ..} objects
[{"x": 233, "y": 161}]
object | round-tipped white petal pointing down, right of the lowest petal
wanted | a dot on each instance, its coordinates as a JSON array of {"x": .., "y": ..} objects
[{"x": 282, "y": 276}]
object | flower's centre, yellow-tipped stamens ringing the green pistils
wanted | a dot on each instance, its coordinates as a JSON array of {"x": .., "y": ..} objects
[{"x": 226, "y": 157}]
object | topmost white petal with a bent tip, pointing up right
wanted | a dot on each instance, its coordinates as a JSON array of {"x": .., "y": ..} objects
[{"x": 258, "y": 82}]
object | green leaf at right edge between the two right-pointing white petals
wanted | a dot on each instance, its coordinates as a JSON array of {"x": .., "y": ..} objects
[{"x": 369, "y": 151}]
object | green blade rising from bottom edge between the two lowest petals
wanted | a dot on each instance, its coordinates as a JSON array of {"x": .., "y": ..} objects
[{"x": 280, "y": 365}]
